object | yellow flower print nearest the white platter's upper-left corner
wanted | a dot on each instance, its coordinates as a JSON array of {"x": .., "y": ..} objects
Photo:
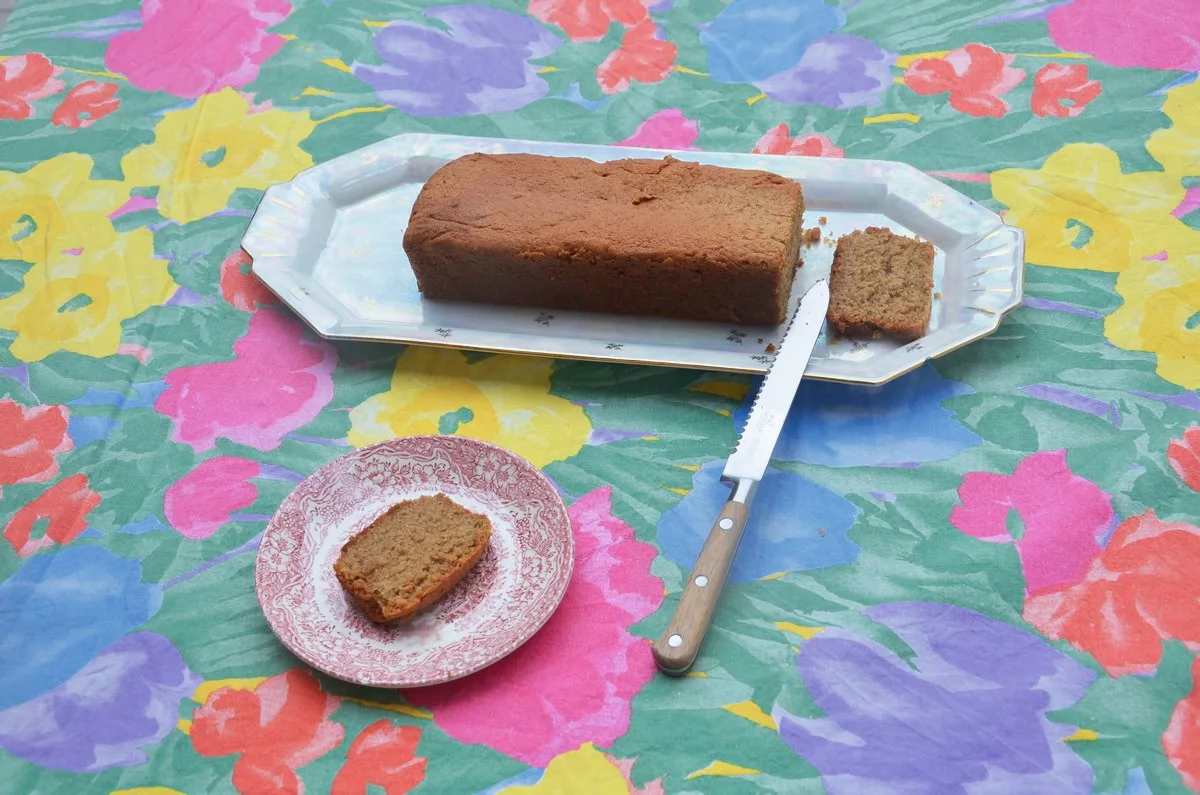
[{"x": 202, "y": 154}]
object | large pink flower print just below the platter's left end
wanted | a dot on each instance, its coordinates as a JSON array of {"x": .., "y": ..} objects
[{"x": 278, "y": 382}]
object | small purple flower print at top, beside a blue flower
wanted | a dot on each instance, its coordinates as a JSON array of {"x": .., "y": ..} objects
[{"x": 837, "y": 71}]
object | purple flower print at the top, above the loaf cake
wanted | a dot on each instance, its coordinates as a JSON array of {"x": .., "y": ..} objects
[{"x": 481, "y": 65}]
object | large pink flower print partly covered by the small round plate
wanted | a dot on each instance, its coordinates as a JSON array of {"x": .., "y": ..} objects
[{"x": 572, "y": 683}]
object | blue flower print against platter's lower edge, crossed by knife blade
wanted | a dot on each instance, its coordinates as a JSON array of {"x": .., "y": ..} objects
[{"x": 902, "y": 423}]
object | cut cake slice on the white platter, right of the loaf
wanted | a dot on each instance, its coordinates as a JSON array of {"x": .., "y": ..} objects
[{"x": 881, "y": 284}]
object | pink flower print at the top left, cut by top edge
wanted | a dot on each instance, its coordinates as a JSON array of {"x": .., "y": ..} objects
[{"x": 191, "y": 49}]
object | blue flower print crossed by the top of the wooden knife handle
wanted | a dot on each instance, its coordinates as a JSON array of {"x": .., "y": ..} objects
[{"x": 795, "y": 525}]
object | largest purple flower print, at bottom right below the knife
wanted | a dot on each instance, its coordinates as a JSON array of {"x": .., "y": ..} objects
[{"x": 968, "y": 715}]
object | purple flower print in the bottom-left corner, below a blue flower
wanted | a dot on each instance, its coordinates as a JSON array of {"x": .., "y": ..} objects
[{"x": 105, "y": 716}]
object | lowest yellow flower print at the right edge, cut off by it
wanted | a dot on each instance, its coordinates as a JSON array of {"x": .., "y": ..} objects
[{"x": 1162, "y": 315}]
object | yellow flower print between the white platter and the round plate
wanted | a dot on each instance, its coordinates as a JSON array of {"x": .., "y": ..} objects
[{"x": 505, "y": 401}]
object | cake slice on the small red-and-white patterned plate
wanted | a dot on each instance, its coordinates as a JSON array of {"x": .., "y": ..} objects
[{"x": 411, "y": 557}]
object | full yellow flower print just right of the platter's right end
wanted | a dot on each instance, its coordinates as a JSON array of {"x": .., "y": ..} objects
[{"x": 1082, "y": 212}]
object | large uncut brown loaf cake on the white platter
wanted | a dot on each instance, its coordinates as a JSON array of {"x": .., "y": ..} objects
[{"x": 664, "y": 238}]
